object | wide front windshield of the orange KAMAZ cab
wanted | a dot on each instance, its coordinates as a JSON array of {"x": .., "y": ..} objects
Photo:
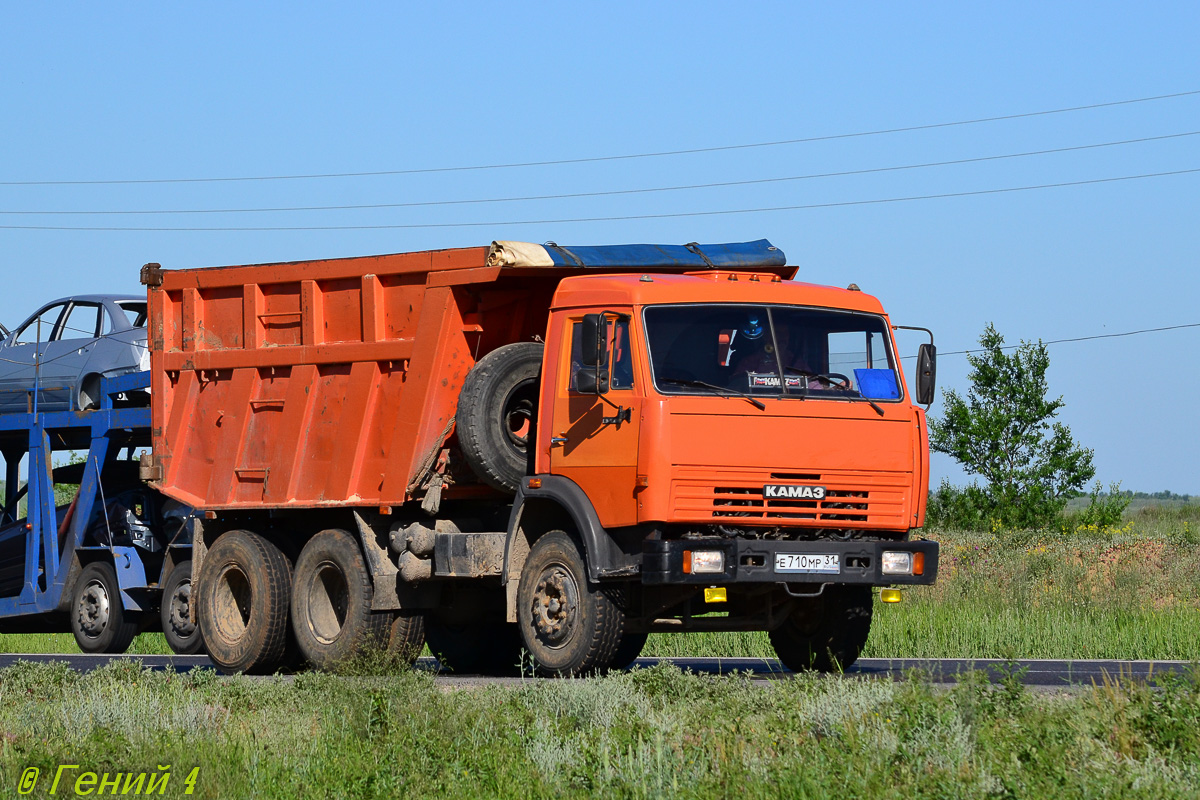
[{"x": 771, "y": 351}]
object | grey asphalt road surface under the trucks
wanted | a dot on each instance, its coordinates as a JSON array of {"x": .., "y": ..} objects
[{"x": 1048, "y": 673}]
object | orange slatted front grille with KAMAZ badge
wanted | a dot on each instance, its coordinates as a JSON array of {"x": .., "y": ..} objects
[{"x": 854, "y": 501}]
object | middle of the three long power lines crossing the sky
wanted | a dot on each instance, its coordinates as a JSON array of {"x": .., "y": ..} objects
[{"x": 615, "y": 193}]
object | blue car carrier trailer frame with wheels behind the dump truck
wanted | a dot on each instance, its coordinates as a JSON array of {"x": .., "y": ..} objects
[{"x": 112, "y": 563}]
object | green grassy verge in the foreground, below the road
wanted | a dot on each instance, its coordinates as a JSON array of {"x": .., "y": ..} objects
[{"x": 651, "y": 733}]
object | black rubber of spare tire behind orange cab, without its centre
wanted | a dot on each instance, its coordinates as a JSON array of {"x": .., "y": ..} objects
[{"x": 478, "y": 420}]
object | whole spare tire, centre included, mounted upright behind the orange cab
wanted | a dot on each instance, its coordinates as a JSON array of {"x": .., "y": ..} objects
[{"x": 496, "y": 416}]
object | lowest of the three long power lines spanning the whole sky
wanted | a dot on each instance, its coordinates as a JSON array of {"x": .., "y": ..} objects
[{"x": 611, "y": 219}]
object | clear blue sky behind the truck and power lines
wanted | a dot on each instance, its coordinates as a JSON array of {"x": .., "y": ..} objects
[{"x": 97, "y": 93}]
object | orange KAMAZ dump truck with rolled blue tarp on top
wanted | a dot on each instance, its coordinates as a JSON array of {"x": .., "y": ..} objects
[{"x": 536, "y": 448}]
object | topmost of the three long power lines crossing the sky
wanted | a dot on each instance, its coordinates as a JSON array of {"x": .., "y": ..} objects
[{"x": 608, "y": 159}]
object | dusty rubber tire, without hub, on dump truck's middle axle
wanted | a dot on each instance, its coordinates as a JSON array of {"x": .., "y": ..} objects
[{"x": 363, "y": 628}]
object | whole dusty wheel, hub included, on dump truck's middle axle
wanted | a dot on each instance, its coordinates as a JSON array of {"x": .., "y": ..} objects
[{"x": 332, "y": 596}]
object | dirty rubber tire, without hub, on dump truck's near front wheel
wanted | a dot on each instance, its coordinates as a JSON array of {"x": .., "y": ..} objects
[{"x": 602, "y": 637}]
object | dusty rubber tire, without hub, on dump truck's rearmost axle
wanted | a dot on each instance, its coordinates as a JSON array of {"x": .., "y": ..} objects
[{"x": 268, "y": 642}]
